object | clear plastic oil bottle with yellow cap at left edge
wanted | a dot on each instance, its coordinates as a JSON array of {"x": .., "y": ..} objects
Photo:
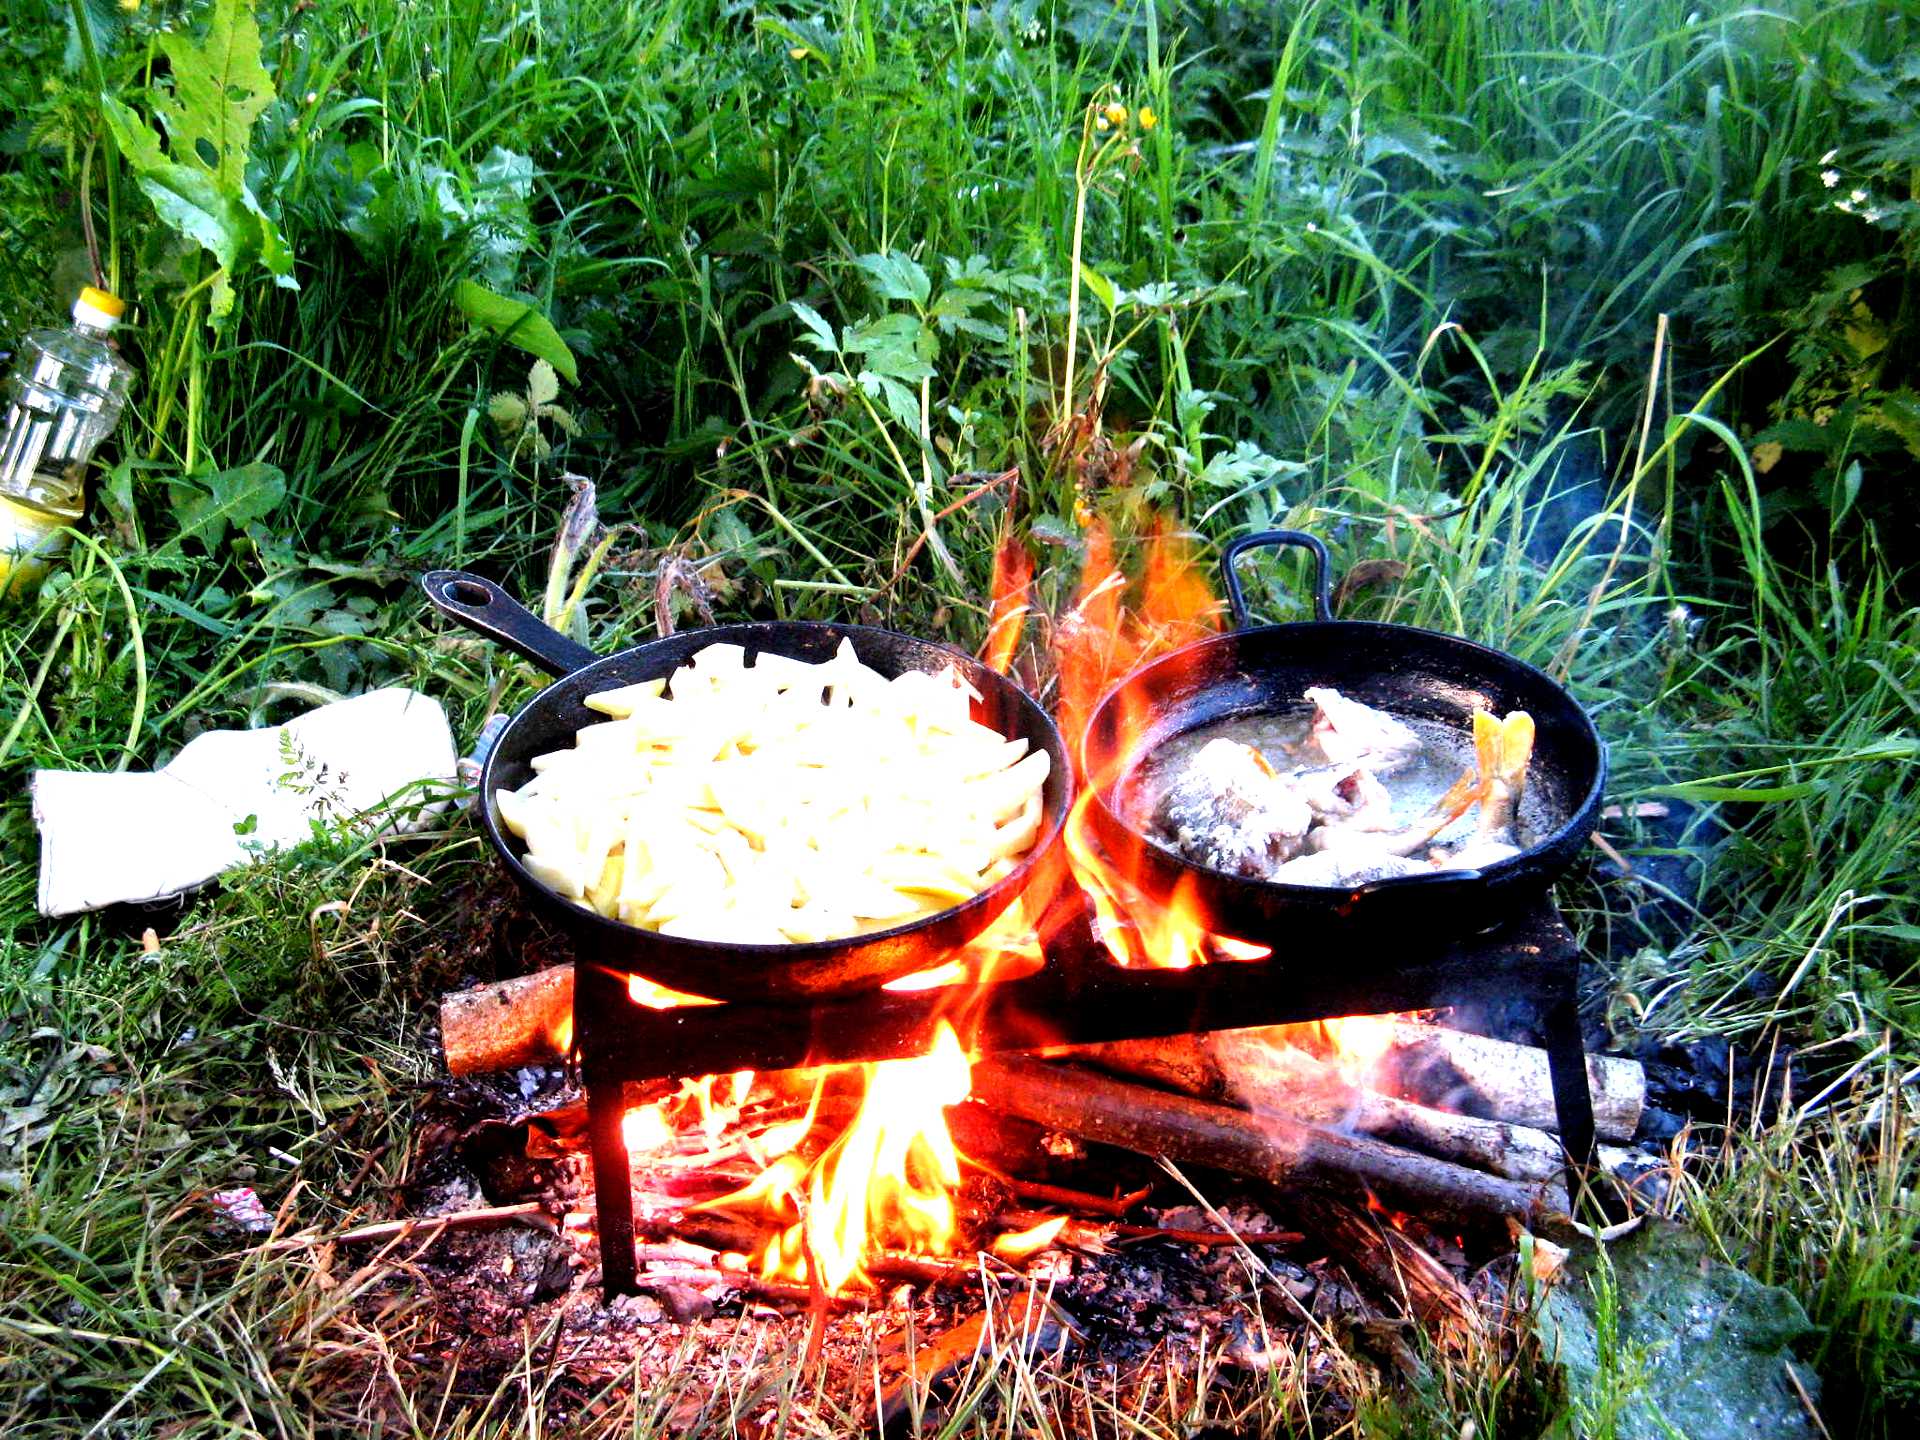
[{"x": 62, "y": 398}]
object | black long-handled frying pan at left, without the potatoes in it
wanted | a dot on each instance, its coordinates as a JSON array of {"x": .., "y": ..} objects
[{"x": 715, "y": 969}]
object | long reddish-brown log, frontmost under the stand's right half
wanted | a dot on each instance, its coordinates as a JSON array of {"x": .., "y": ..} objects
[{"x": 1274, "y": 1149}]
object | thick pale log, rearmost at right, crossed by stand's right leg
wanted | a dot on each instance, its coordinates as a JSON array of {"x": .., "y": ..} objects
[{"x": 1499, "y": 1080}]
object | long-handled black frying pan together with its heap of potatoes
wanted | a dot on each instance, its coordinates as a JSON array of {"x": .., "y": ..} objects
[{"x": 767, "y": 811}]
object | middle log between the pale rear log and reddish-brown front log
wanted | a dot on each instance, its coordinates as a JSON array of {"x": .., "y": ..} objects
[{"x": 1262, "y": 1072}]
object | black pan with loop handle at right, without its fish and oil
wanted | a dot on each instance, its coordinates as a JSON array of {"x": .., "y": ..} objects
[{"x": 1418, "y": 675}]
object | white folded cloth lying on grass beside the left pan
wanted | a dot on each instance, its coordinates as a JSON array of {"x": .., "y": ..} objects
[{"x": 233, "y": 794}]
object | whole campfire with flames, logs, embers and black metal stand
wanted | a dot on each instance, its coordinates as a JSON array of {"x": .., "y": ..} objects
[{"x": 972, "y": 1122}]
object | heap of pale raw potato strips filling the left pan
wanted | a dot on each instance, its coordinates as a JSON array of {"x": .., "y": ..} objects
[{"x": 765, "y": 800}]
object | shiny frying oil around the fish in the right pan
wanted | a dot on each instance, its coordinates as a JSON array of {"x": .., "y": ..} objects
[{"x": 1282, "y": 738}]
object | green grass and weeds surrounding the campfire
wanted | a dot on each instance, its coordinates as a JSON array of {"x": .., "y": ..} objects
[{"x": 1387, "y": 272}]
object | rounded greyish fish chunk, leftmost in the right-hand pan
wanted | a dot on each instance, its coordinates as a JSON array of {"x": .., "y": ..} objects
[{"x": 1232, "y": 813}]
